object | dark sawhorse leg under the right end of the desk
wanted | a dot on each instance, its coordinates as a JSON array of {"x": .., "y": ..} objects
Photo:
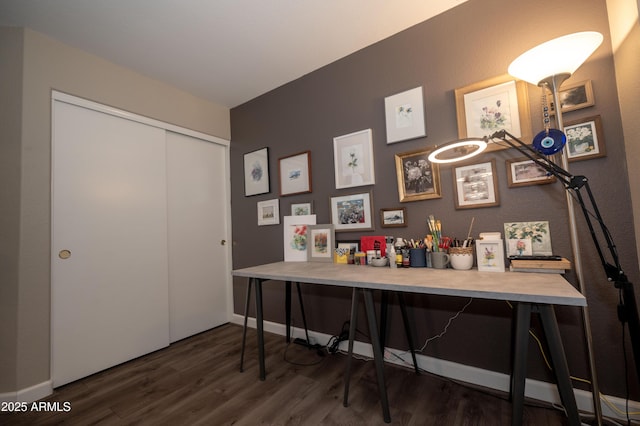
[{"x": 557, "y": 355}]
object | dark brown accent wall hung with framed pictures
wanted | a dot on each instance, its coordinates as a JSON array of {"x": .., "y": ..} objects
[{"x": 473, "y": 42}]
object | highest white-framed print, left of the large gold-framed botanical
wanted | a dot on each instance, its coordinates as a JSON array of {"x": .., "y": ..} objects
[{"x": 404, "y": 113}]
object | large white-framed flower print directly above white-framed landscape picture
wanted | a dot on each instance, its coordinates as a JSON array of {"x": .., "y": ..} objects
[{"x": 353, "y": 159}]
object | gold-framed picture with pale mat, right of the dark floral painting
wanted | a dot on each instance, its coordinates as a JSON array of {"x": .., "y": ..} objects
[{"x": 476, "y": 185}]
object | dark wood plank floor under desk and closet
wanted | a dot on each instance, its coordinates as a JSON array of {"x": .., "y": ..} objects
[{"x": 197, "y": 382}]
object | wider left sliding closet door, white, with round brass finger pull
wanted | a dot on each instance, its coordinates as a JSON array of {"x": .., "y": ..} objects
[{"x": 109, "y": 210}]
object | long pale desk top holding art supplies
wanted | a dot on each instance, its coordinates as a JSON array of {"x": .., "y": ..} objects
[{"x": 514, "y": 286}]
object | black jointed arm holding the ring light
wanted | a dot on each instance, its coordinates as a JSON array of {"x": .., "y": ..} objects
[{"x": 627, "y": 307}]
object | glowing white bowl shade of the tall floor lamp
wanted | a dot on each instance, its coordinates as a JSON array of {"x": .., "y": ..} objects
[{"x": 562, "y": 55}]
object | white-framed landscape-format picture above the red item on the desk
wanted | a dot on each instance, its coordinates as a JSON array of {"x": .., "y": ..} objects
[{"x": 352, "y": 212}]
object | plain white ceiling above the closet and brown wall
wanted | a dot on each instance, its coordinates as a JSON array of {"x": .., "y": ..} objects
[{"x": 225, "y": 51}]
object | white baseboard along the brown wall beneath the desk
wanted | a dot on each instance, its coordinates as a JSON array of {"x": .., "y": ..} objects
[{"x": 612, "y": 407}]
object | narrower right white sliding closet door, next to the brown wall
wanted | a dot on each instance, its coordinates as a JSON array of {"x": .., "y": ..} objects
[{"x": 197, "y": 210}]
